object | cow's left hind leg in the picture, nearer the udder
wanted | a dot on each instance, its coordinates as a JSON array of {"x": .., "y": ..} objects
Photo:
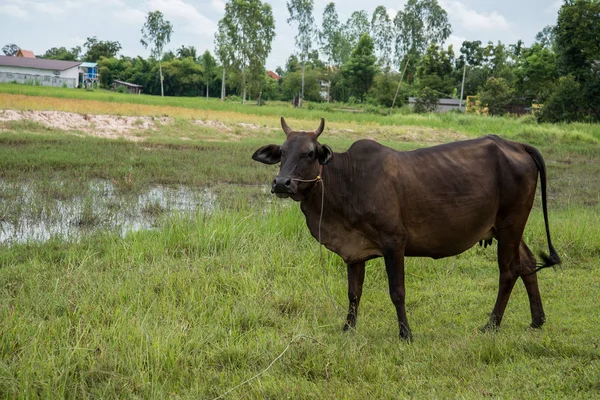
[{"x": 509, "y": 265}]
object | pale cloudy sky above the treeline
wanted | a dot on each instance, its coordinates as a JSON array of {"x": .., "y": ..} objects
[{"x": 39, "y": 25}]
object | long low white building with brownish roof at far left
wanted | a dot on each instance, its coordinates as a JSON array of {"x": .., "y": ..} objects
[{"x": 39, "y": 71}]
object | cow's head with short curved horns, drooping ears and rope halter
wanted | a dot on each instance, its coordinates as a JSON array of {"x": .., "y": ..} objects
[{"x": 301, "y": 156}]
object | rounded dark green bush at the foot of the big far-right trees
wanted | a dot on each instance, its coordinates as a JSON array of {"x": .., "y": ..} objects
[{"x": 565, "y": 102}]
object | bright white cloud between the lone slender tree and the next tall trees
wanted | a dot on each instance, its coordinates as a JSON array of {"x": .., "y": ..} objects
[{"x": 179, "y": 10}]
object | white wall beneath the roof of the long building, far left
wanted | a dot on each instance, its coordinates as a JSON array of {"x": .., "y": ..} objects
[{"x": 45, "y": 77}]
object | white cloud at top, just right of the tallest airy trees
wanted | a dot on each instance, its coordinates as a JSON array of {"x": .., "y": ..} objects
[{"x": 472, "y": 20}]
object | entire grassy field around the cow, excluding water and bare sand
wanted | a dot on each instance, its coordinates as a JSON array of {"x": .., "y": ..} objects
[{"x": 199, "y": 305}]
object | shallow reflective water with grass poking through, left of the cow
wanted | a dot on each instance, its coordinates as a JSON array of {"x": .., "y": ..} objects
[{"x": 28, "y": 214}]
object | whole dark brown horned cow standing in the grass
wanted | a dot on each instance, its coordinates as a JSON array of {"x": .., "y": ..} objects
[{"x": 432, "y": 202}]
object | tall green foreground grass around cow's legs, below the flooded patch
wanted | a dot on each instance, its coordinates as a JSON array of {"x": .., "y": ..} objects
[{"x": 199, "y": 306}]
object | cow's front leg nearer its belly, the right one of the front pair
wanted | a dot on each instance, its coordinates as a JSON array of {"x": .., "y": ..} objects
[{"x": 394, "y": 266}]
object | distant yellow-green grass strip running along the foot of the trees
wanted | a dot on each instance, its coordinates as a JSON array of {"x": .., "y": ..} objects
[{"x": 524, "y": 129}]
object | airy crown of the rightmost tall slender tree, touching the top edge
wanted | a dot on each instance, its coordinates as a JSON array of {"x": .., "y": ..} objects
[{"x": 420, "y": 23}]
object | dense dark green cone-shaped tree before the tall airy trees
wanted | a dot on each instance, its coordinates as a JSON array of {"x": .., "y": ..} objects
[{"x": 360, "y": 68}]
